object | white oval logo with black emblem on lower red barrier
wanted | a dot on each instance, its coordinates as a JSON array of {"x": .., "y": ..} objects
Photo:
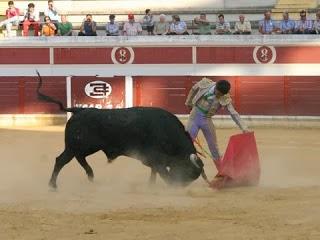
[{"x": 98, "y": 89}]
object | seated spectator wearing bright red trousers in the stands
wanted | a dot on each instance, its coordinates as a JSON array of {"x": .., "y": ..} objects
[{"x": 31, "y": 18}]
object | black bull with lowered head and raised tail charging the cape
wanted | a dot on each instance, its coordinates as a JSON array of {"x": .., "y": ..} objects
[{"x": 154, "y": 136}]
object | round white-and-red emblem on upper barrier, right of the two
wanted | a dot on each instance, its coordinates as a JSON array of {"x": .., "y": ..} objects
[{"x": 264, "y": 54}]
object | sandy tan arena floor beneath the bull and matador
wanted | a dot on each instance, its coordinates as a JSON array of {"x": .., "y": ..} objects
[{"x": 121, "y": 205}]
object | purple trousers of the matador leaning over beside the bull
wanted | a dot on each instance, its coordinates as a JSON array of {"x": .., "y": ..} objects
[{"x": 199, "y": 121}]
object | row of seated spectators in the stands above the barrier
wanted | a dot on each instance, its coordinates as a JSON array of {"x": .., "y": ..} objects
[{"x": 57, "y": 24}]
